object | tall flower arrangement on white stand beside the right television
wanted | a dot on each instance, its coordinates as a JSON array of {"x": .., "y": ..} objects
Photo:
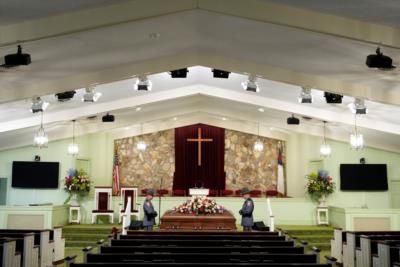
[{"x": 319, "y": 186}]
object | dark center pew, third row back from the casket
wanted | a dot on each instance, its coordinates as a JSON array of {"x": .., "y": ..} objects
[{"x": 200, "y": 243}]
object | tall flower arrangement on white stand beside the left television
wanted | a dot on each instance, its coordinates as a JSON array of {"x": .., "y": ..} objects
[{"x": 76, "y": 183}]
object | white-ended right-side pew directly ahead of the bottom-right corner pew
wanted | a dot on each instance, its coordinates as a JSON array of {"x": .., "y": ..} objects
[{"x": 369, "y": 246}]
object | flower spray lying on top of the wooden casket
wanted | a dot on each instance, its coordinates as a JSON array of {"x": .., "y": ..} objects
[{"x": 200, "y": 205}]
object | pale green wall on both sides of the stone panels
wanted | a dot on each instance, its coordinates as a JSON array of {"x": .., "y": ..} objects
[{"x": 300, "y": 150}]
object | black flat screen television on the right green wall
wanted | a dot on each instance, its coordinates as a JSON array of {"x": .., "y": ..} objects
[{"x": 363, "y": 177}]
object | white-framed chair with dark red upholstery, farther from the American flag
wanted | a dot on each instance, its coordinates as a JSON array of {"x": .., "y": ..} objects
[{"x": 102, "y": 200}]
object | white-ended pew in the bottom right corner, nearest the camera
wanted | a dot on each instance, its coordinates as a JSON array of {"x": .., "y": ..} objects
[{"x": 388, "y": 253}]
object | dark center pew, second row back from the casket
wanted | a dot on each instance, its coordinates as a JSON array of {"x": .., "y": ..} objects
[{"x": 204, "y": 237}]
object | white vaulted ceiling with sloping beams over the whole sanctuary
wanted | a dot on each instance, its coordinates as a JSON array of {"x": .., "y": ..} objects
[{"x": 189, "y": 34}]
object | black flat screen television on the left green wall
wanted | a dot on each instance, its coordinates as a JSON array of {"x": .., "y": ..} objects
[{"x": 35, "y": 174}]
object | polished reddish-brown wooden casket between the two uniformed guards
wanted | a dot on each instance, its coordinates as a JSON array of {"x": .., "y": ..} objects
[{"x": 173, "y": 220}]
